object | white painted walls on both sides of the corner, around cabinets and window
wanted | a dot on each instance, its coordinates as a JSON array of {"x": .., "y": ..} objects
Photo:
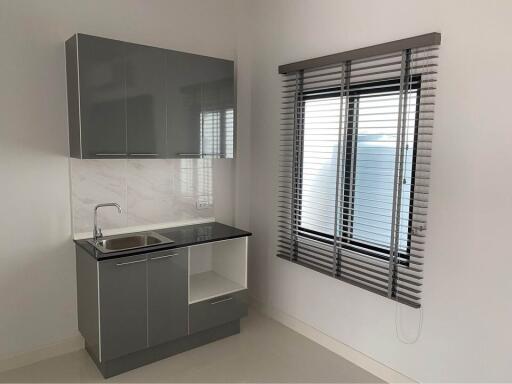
[{"x": 467, "y": 304}]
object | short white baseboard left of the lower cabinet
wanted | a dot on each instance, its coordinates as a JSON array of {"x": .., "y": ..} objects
[{"x": 71, "y": 344}]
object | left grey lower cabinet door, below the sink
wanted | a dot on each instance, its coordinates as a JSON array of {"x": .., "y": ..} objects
[{"x": 123, "y": 306}]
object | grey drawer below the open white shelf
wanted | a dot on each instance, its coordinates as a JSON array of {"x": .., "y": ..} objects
[{"x": 220, "y": 310}]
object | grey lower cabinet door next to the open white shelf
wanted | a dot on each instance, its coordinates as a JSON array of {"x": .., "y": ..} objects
[{"x": 167, "y": 295}]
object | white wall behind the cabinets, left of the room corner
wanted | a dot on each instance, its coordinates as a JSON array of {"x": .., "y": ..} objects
[{"x": 37, "y": 268}]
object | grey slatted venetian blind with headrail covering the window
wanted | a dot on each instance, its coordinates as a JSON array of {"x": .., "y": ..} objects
[{"x": 354, "y": 175}]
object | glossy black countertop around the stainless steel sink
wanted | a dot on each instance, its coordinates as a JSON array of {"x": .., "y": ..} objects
[{"x": 183, "y": 237}]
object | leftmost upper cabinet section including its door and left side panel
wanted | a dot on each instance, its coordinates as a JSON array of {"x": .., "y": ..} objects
[{"x": 96, "y": 97}]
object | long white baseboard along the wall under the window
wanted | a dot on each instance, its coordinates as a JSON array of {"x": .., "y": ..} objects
[{"x": 376, "y": 368}]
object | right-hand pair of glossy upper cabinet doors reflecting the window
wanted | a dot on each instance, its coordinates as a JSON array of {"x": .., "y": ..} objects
[{"x": 200, "y": 106}]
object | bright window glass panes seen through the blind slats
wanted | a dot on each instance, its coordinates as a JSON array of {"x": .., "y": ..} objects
[{"x": 366, "y": 221}]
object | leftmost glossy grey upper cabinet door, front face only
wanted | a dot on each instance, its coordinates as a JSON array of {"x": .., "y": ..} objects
[{"x": 102, "y": 72}]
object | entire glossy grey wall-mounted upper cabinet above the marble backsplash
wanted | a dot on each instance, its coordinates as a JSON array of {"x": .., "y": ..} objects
[{"x": 130, "y": 100}]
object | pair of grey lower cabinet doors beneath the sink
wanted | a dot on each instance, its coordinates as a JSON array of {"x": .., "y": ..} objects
[{"x": 143, "y": 301}]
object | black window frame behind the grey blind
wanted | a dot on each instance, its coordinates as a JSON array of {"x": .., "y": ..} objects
[{"x": 355, "y": 91}]
